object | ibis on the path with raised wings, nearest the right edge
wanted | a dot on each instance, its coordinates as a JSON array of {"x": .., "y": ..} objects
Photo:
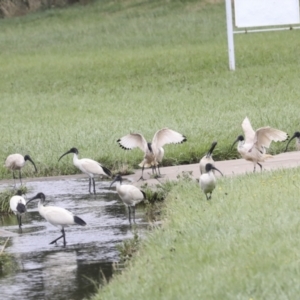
[{"x": 253, "y": 146}]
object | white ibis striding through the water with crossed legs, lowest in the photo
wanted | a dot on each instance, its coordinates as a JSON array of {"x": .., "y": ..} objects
[{"x": 57, "y": 216}]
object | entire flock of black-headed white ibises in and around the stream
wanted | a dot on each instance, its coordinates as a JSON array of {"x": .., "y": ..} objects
[{"x": 252, "y": 147}]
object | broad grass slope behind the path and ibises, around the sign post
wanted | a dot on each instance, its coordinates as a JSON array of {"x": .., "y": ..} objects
[{"x": 87, "y": 75}]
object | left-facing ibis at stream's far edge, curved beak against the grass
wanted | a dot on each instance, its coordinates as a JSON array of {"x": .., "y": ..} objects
[{"x": 88, "y": 166}]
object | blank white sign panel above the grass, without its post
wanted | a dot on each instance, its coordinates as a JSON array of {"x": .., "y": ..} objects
[{"x": 254, "y": 13}]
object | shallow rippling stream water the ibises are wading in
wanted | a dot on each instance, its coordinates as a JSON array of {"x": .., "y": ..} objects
[{"x": 51, "y": 271}]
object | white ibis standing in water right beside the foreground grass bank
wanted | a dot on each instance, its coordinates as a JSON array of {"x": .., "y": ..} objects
[{"x": 129, "y": 194}]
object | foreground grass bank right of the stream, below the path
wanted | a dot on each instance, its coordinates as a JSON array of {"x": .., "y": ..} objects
[{"x": 243, "y": 244}]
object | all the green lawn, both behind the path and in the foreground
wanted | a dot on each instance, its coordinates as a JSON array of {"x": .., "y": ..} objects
[{"x": 87, "y": 75}]
